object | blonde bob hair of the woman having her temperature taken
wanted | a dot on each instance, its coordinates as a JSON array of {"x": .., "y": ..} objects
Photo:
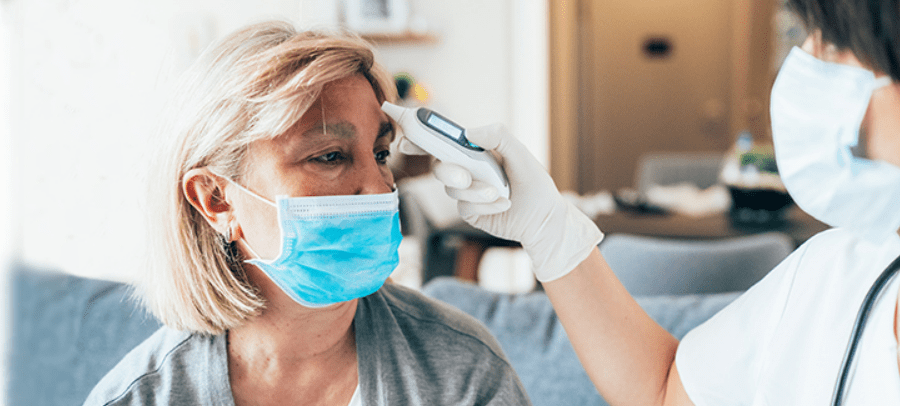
[{"x": 255, "y": 84}]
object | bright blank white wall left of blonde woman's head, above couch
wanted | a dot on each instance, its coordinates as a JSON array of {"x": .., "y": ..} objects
[{"x": 86, "y": 76}]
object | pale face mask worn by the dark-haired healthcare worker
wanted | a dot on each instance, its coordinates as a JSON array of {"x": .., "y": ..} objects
[{"x": 817, "y": 108}]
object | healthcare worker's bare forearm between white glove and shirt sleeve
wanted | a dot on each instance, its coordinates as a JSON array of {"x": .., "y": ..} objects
[{"x": 628, "y": 356}]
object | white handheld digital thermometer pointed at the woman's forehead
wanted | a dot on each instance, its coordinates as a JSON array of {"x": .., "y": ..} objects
[{"x": 447, "y": 141}]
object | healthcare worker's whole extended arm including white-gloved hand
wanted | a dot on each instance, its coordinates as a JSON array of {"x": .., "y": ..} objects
[{"x": 628, "y": 356}]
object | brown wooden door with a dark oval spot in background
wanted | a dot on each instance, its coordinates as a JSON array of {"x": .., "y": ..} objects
[{"x": 655, "y": 76}]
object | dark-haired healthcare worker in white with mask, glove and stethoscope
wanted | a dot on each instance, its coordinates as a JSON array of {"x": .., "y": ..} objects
[{"x": 836, "y": 128}]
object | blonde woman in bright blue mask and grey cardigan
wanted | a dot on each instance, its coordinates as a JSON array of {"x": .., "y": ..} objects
[{"x": 275, "y": 227}]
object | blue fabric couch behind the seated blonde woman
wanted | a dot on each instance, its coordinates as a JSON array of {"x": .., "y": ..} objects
[{"x": 68, "y": 332}]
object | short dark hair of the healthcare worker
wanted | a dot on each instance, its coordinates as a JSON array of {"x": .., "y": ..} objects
[{"x": 868, "y": 28}]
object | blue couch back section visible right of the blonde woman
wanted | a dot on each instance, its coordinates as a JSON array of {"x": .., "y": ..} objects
[{"x": 536, "y": 344}]
